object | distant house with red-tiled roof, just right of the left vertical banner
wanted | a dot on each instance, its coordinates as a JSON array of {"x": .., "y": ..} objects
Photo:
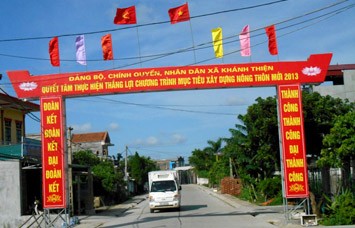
[{"x": 97, "y": 142}]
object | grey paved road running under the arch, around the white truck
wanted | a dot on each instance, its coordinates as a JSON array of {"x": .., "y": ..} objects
[{"x": 201, "y": 207}]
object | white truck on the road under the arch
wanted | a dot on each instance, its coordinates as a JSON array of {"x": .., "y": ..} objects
[{"x": 164, "y": 190}]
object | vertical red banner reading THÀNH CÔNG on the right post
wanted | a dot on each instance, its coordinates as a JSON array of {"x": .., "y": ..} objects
[{"x": 293, "y": 146}]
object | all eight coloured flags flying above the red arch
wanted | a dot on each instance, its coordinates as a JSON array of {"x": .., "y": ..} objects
[{"x": 126, "y": 16}]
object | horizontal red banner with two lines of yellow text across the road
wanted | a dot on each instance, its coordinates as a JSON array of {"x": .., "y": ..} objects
[{"x": 171, "y": 78}]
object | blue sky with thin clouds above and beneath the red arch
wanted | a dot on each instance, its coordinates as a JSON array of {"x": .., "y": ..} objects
[{"x": 166, "y": 125}]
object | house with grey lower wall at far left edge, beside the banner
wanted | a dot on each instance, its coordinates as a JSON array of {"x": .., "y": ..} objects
[{"x": 19, "y": 160}]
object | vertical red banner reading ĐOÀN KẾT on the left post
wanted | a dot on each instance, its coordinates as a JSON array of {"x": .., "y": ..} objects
[{"x": 53, "y": 162}]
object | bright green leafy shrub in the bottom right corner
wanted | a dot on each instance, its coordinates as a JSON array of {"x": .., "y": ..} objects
[{"x": 340, "y": 211}]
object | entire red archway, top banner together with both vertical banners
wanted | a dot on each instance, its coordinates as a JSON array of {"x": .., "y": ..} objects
[{"x": 52, "y": 89}]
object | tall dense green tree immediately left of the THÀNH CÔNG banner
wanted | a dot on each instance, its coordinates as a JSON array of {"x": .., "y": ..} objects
[{"x": 262, "y": 142}]
